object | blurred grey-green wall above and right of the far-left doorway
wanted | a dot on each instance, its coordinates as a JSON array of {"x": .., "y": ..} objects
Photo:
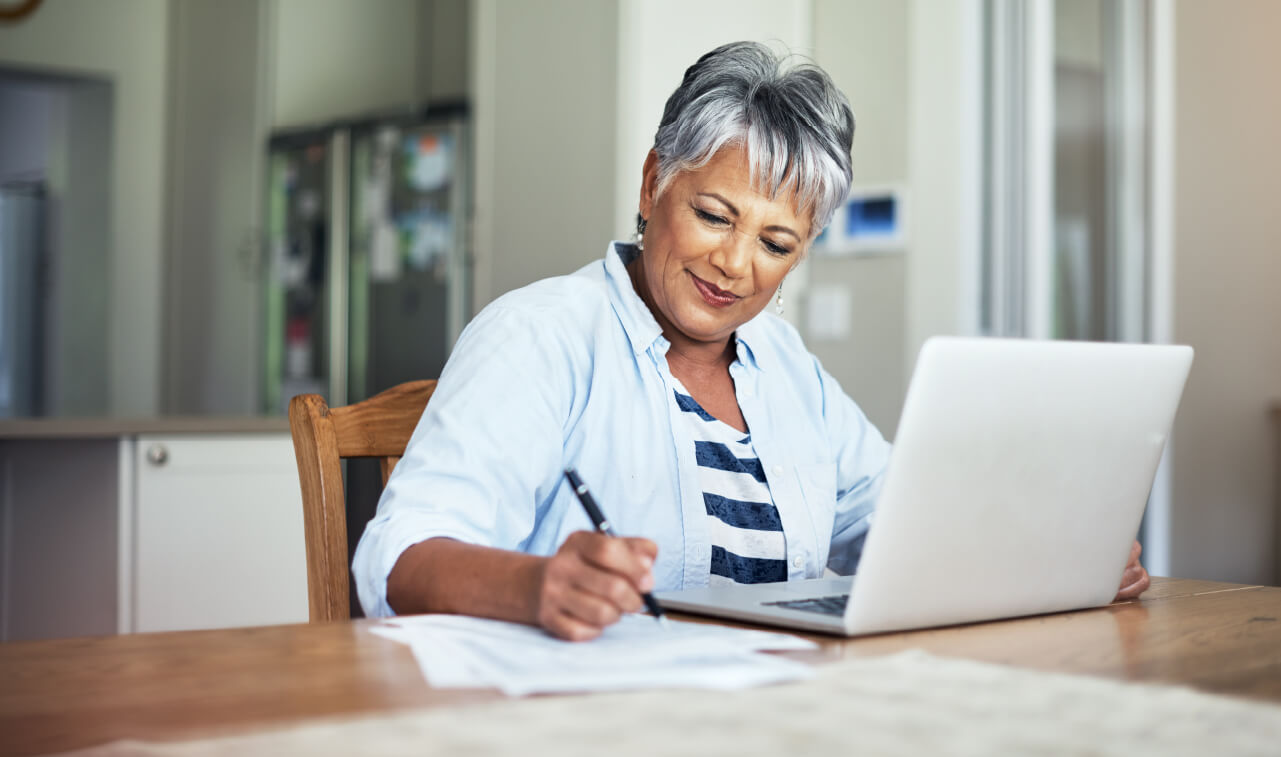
[{"x": 125, "y": 43}]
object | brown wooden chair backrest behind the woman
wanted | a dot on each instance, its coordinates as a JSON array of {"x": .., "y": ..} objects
[{"x": 379, "y": 427}]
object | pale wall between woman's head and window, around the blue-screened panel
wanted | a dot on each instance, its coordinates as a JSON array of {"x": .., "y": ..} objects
[{"x": 913, "y": 75}]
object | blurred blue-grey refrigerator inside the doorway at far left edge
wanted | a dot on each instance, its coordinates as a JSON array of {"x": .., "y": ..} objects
[{"x": 24, "y": 294}]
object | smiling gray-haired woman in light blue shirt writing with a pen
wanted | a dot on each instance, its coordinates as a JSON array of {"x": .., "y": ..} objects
[{"x": 704, "y": 427}]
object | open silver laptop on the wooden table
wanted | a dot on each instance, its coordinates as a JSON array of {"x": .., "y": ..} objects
[{"x": 1016, "y": 487}]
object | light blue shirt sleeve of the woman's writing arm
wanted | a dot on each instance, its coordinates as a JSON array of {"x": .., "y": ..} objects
[{"x": 477, "y": 466}]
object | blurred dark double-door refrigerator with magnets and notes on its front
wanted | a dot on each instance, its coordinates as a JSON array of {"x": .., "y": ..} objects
[{"x": 370, "y": 265}]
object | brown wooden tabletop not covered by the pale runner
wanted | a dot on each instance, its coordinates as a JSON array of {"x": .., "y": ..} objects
[{"x": 69, "y": 694}]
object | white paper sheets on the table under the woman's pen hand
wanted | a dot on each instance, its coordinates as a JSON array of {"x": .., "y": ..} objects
[{"x": 457, "y": 651}]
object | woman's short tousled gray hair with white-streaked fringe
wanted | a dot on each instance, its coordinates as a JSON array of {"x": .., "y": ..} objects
[{"x": 796, "y": 125}]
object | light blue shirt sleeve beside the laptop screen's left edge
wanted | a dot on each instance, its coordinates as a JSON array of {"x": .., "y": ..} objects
[{"x": 863, "y": 457}]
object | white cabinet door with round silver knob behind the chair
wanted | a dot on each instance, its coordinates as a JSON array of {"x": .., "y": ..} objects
[{"x": 217, "y": 533}]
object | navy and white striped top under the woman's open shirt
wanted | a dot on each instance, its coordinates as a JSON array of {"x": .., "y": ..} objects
[{"x": 744, "y": 525}]
